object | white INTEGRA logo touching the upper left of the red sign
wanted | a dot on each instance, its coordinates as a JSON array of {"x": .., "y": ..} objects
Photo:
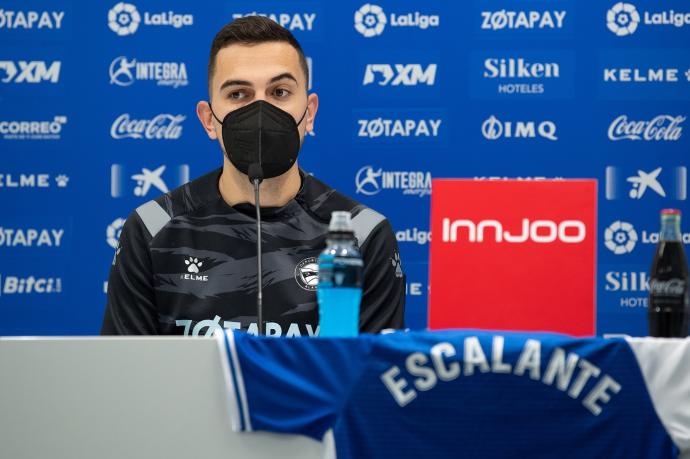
[{"x": 370, "y": 181}]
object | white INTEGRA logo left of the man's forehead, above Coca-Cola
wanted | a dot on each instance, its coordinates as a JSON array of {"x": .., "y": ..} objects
[{"x": 124, "y": 72}]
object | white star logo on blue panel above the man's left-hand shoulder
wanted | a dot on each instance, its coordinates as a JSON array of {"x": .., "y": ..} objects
[{"x": 139, "y": 181}]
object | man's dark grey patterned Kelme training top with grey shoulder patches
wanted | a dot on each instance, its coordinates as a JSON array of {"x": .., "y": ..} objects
[{"x": 186, "y": 264}]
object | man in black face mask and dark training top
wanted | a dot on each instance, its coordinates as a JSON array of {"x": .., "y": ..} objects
[{"x": 186, "y": 262}]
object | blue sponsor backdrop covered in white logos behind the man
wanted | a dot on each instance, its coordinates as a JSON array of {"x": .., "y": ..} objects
[{"x": 97, "y": 116}]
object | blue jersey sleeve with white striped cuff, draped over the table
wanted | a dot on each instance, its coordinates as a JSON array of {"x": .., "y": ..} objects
[{"x": 297, "y": 387}]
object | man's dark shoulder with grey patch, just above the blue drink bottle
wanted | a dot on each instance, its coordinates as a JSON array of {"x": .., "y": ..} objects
[{"x": 321, "y": 199}]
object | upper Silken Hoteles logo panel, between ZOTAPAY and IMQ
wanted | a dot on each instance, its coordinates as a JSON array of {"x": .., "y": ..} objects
[{"x": 547, "y": 74}]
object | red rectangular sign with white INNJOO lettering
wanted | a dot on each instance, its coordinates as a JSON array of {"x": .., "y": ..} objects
[{"x": 513, "y": 255}]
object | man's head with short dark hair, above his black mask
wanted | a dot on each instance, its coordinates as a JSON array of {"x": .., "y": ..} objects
[{"x": 254, "y": 58}]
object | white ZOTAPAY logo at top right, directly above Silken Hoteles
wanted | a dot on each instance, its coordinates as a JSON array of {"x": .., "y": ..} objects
[{"x": 523, "y": 19}]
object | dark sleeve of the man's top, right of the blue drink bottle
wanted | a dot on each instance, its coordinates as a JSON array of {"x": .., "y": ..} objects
[{"x": 383, "y": 292}]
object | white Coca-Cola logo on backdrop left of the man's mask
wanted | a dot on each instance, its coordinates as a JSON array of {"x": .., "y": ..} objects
[{"x": 163, "y": 126}]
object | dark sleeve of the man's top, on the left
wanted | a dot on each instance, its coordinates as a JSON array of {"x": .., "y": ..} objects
[{"x": 131, "y": 307}]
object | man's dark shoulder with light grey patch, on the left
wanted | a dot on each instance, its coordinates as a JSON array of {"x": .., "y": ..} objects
[{"x": 185, "y": 199}]
